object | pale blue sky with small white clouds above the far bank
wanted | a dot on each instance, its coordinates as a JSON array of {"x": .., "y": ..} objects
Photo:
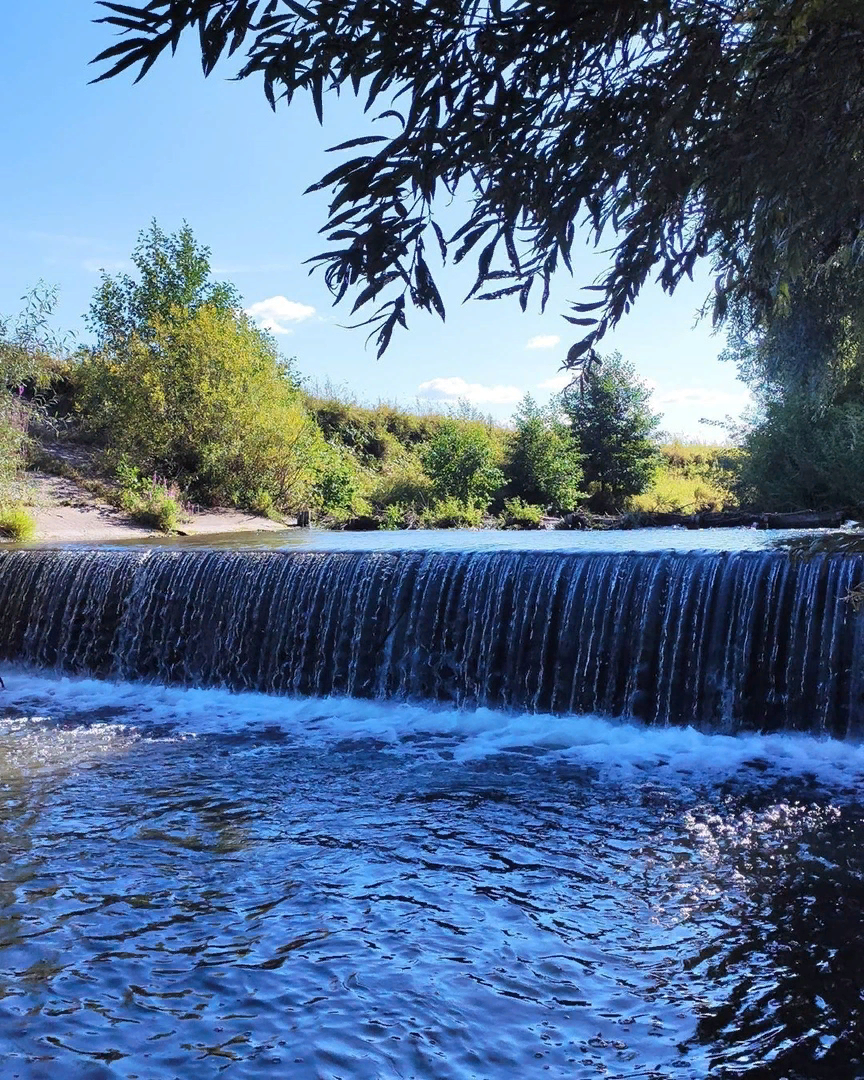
[{"x": 86, "y": 168}]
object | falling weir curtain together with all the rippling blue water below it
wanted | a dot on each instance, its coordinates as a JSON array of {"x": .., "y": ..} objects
[{"x": 199, "y": 883}]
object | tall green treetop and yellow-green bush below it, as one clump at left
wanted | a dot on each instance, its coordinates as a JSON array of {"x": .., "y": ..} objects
[{"x": 183, "y": 385}]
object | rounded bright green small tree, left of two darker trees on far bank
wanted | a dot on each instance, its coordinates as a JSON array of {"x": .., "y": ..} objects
[{"x": 461, "y": 461}]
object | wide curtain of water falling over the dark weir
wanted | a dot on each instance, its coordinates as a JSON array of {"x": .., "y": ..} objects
[{"x": 726, "y": 642}]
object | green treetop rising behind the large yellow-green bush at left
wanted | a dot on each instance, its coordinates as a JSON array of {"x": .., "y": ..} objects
[{"x": 173, "y": 283}]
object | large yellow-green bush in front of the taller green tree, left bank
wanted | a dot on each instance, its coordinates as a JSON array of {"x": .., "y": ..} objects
[{"x": 207, "y": 403}]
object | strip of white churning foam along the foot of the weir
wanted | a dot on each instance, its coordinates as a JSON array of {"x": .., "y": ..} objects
[{"x": 619, "y": 748}]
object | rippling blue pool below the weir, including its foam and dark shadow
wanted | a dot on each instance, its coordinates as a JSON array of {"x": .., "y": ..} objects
[{"x": 197, "y": 884}]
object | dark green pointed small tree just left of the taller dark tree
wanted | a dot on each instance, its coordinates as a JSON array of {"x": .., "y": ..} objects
[{"x": 544, "y": 465}]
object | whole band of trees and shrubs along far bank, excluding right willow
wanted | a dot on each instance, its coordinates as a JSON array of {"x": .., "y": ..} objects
[{"x": 190, "y": 402}]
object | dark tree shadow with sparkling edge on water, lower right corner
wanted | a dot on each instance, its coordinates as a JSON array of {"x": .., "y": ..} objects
[{"x": 788, "y": 975}]
